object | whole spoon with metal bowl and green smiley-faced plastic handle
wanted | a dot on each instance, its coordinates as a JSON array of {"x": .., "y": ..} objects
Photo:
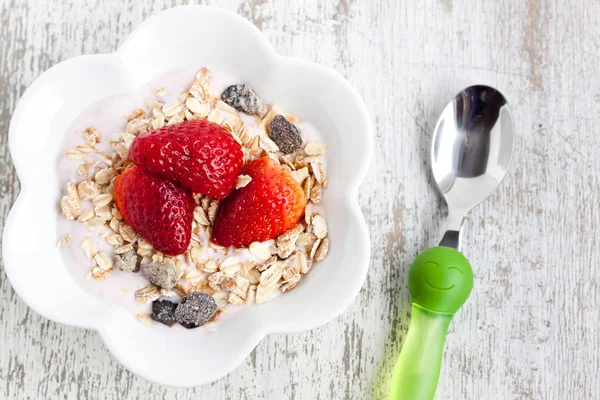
[{"x": 470, "y": 154}]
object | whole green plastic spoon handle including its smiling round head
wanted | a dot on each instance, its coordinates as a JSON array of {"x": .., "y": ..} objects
[{"x": 440, "y": 281}]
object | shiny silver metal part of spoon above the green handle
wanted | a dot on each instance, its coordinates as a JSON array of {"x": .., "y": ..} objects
[{"x": 471, "y": 152}]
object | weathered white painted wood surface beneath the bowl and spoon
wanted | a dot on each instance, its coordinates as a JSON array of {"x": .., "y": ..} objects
[{"x": 531, "y": 327}]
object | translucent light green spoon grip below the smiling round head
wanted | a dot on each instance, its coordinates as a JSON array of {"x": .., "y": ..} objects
[{"x": 418, "y": 367}]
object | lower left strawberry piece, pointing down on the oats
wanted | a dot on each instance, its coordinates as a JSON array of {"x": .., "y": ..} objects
[{"x": 159, "y": 210}]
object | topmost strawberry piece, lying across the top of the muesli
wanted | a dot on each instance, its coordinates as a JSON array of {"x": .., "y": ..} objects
[{"x": 200, "y": 154}]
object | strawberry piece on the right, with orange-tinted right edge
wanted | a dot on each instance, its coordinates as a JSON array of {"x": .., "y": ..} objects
[{"x": 268, "y": 206}]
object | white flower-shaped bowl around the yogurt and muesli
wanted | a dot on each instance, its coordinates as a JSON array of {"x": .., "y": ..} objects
[{"x": 185, "y": 36}]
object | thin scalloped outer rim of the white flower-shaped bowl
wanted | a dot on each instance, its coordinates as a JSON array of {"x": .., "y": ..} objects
[{"x": 350, "y": 197}]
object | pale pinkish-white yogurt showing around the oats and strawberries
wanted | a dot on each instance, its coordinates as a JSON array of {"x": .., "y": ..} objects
[{"x": 109, "y": 116}]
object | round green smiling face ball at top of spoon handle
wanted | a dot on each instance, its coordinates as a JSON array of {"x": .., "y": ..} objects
[{"x": 440, "y": 280}]
